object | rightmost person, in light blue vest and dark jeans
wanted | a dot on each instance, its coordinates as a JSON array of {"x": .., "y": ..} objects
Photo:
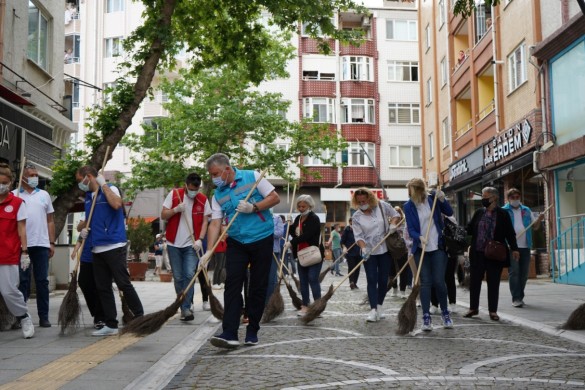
[{"x": 522, "y": 217}]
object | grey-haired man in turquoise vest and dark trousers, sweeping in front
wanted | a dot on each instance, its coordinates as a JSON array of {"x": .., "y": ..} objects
[{"x": 250, "y": 242}]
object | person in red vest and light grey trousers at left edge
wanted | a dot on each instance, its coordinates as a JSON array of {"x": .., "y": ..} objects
[{"x": 13, "y": 215}]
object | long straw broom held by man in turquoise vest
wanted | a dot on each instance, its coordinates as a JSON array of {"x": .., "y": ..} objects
[{"x": 150, "y": 323}]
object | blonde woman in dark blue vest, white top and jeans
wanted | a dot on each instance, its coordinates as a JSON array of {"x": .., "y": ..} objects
[{"x": 432, "y": 273}]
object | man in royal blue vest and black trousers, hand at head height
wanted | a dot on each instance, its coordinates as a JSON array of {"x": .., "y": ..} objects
[{"x": 108, "y": 245}]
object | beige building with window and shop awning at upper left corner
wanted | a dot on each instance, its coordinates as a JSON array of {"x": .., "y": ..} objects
[{"x": 34, "y": 108}]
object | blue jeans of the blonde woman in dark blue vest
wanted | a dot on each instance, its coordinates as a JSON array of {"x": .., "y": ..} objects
[{"x": 432, "y": 274}]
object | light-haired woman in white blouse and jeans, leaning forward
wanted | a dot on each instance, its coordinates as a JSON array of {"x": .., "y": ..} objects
[{"x": 371, "y": 222}]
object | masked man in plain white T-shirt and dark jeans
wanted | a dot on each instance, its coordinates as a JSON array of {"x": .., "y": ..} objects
[{"x": 40, "y": 233}]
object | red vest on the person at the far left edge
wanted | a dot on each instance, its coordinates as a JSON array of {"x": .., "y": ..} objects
[{"x": 9, "y": 230}]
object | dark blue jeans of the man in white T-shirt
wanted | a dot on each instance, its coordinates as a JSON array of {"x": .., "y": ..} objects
[{"x": 39, "y": 263}]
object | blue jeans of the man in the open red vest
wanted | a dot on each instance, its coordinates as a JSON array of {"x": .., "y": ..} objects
[{"x": 183, "y": 264}]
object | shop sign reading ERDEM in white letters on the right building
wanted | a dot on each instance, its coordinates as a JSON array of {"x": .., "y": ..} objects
[{"x": 508, "y": 143}]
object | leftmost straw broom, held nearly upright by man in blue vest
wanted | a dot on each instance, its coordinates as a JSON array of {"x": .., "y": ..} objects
[{"x": 70, "y": 309}]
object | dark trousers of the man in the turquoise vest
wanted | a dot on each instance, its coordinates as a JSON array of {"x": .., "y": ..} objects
[{"x": 258, "y": 255}]
